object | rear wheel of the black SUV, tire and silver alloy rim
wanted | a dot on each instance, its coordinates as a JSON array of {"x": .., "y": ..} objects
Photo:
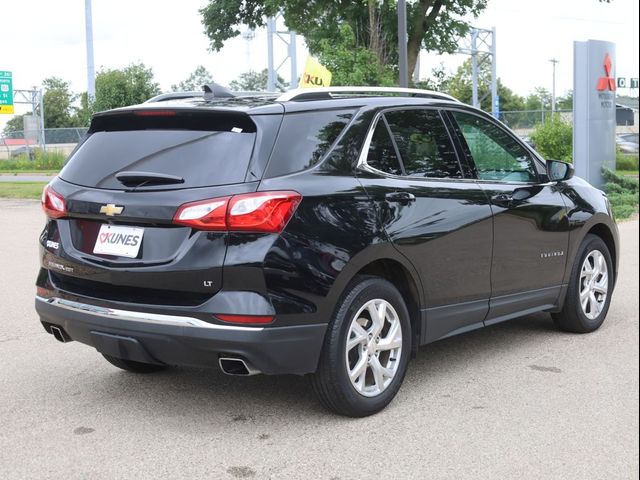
[{"x": 381, "y": 359}]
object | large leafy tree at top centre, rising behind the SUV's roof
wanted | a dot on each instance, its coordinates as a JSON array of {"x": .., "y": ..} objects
[{"x": 434, "y": 25}]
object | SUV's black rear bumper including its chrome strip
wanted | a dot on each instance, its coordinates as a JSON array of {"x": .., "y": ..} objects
[{"x": 179, "y": 340}]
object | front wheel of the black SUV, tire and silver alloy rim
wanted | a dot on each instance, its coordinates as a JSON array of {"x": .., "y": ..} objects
[{"x": 575, "y": 316}]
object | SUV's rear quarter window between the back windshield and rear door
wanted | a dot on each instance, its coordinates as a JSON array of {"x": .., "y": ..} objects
[{"x": 304, "y": 139}]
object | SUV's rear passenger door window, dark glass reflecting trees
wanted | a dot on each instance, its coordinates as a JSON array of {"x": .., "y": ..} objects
[{"x": 423, "y": 143}]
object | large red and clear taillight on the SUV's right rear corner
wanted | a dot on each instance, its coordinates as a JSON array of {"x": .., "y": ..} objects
[{"x": 252, "y": 212}]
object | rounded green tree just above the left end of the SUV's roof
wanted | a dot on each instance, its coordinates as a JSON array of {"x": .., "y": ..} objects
[{"x": 119, "y": 88}]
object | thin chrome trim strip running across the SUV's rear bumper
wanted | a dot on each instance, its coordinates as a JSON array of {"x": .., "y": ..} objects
[{"x": 142, "y": 317}]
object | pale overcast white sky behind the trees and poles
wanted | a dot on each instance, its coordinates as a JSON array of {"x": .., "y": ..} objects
[{"x": 44, "y": 38}]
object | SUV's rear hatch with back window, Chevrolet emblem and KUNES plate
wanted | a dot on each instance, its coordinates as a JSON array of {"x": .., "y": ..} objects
[{"x": 121, "y": 189}]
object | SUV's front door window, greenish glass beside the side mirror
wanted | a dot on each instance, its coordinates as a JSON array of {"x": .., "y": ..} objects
[{"x": 496, "y": 154}]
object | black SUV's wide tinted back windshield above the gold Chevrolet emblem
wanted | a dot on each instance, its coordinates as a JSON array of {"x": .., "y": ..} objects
[{"x": 200, "y": 157}]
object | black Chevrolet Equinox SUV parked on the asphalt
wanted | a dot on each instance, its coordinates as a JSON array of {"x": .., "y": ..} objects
[{"x": 328, "y": 232}]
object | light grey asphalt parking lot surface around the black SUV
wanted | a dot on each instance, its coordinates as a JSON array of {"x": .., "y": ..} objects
[{"x": 516, "y": 400}]
